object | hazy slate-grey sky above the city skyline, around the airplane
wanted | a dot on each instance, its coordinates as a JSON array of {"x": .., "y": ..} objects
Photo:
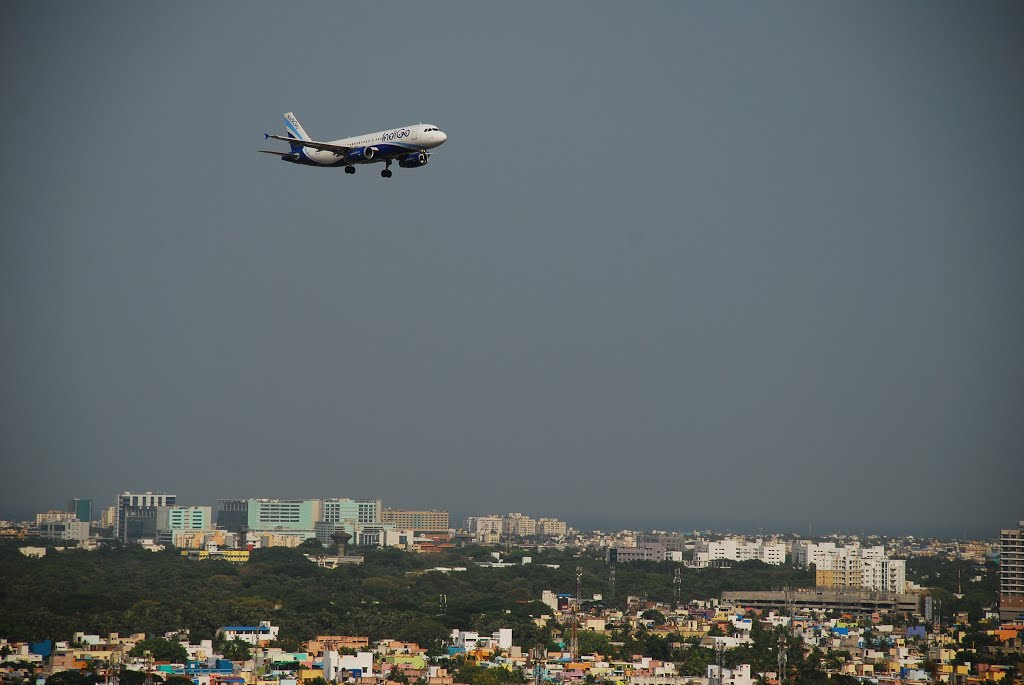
[{"x": 679, "y": 265}]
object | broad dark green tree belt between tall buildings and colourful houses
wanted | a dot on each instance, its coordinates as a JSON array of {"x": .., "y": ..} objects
[{"x": 130, "y": 590}]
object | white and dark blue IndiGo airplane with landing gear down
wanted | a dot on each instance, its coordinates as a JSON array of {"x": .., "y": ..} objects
[{"x": 408, "y": 146}]
